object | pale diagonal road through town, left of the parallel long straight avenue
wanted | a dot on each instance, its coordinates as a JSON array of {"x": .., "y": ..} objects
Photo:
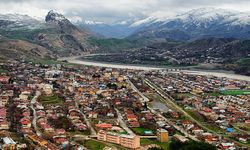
[{"x": 165, "y": 119}]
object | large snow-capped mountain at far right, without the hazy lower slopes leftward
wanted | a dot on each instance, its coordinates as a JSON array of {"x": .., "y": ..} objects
[{"x": 200, "y": 23}]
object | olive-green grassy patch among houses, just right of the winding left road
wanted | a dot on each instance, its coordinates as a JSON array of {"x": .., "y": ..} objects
[{"x": 54, "y": 100}]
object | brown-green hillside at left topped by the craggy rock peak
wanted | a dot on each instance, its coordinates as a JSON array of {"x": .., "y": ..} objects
[{"x": 57, "y": 34}]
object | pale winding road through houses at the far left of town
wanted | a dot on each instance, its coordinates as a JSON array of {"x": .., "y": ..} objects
[{"x": 32, "y": 102}]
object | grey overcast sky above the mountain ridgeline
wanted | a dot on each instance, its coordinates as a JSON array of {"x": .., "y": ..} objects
[{"x": 114, "y": 10}]
